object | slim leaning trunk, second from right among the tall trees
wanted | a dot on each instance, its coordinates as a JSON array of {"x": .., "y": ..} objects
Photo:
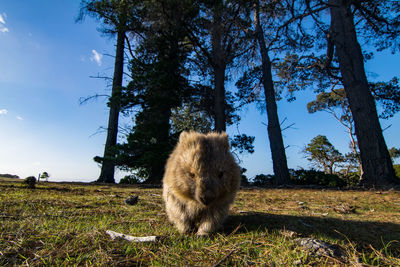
[{"x": 277, "y": 147}]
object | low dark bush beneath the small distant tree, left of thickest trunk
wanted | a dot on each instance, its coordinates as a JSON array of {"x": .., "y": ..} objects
[{"x": 314, "y": 177}]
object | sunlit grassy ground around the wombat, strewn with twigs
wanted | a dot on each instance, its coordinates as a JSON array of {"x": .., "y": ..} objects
[{"x": 65, "y": 224}]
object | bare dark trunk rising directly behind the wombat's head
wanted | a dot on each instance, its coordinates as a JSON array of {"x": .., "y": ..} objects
[{"x": 219, "y": 67}]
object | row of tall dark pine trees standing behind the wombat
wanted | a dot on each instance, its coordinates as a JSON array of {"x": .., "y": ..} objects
[{"x": 181, "y": 55}]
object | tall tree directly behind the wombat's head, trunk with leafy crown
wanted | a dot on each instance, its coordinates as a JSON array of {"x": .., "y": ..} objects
[{"x": 219, "y": 38}]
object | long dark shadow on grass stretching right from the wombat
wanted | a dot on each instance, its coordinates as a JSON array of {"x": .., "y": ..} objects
[{"x": 362, "y": 233}]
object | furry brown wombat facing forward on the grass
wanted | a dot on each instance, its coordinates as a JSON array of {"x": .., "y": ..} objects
[{"x": 200, "y": 182}]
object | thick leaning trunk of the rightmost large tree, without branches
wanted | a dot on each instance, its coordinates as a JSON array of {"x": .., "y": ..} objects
[{"x": 376, "y": 164}]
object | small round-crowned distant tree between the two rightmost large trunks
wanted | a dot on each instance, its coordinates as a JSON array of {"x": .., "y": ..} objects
[{"x": 323, "y": 153}]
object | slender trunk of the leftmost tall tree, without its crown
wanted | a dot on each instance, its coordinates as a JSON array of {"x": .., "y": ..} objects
[{"x": 108, "y": 166}]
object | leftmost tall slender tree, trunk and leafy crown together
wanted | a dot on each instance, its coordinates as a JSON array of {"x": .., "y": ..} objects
[{"x": 116, "y": 18}]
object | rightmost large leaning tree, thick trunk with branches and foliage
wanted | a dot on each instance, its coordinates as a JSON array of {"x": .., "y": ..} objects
[{"x": 376, "y": 23}]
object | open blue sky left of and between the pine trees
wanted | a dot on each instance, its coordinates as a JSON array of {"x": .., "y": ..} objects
[{"x": 45, "y": 63}]
